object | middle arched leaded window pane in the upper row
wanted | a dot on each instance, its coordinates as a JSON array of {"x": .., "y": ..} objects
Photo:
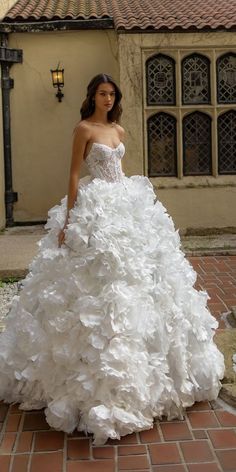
[{"x": 196, "y": 79}]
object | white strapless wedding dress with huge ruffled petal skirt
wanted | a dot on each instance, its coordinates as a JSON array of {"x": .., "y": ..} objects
[{"x": 107, "y": 331}]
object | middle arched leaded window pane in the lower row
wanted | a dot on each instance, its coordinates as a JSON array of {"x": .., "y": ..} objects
[{"x": 197, "y": 144}]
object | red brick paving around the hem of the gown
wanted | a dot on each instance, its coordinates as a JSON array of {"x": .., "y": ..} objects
[{"x": 204, "y": 442}]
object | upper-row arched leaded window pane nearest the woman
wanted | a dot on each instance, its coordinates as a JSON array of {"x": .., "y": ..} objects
[{"x": 160, "y": 80}]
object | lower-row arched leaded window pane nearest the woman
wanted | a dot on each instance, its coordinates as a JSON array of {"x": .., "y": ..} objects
[{"x": 162, "y": 155}]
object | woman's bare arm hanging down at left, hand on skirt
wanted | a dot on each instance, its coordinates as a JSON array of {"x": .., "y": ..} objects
[{"x": 81, "y": 138}]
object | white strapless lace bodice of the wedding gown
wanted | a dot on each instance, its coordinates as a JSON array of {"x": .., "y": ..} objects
[{"x": 104, "y": 162}]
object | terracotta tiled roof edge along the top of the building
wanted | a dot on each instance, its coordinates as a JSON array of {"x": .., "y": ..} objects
[{"x": 131, "y": 14}]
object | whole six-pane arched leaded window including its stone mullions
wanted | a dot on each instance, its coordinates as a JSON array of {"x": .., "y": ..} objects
[{"x": 177, "y": 81}]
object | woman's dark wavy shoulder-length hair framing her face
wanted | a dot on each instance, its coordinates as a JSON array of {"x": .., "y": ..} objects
[{"x": 88, "y": 106}]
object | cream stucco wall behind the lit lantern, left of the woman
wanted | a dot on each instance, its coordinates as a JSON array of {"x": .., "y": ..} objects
[{"x": 42, "y": 127}]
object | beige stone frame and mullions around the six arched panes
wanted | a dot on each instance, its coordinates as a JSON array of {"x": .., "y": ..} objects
[{"x": 180, "y": 110}]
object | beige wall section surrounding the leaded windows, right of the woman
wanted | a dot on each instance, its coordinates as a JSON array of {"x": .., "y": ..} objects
[{"x": 194, "y": 202}]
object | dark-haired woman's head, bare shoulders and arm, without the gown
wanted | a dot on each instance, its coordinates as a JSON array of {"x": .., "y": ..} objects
[{"x": 100, "y": 112}]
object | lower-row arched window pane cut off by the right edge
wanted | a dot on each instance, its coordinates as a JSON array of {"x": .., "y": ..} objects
[{"x": 227, "y": 143}]
